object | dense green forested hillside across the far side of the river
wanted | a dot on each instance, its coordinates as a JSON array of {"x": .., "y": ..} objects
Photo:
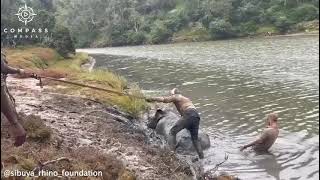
[{"x": 98, "y": 23}]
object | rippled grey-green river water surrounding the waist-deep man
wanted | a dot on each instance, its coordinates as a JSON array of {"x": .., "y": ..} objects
[{"x": 234, "y": 84}]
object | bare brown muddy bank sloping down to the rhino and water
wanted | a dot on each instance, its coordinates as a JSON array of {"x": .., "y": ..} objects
[{"x": 79, "y": 123}]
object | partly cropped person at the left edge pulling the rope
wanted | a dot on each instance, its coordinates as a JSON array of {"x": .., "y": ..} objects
[{"x": 7, "y": 105}]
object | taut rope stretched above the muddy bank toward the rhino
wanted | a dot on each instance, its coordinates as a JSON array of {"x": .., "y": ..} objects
[{"x": 87, "y": 86}]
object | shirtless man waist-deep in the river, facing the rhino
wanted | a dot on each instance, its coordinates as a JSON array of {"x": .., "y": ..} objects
[{"x": 268, "y": 136}]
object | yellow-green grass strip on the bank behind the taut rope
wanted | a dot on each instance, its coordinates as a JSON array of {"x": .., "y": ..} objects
[{"x": 47, "y": 62}]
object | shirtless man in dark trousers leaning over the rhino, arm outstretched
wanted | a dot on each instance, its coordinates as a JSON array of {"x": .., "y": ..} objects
[{"x": 190, "y": 117}]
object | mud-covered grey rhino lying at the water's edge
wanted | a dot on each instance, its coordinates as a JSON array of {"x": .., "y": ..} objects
[{"x": 163, "y": 121}]
